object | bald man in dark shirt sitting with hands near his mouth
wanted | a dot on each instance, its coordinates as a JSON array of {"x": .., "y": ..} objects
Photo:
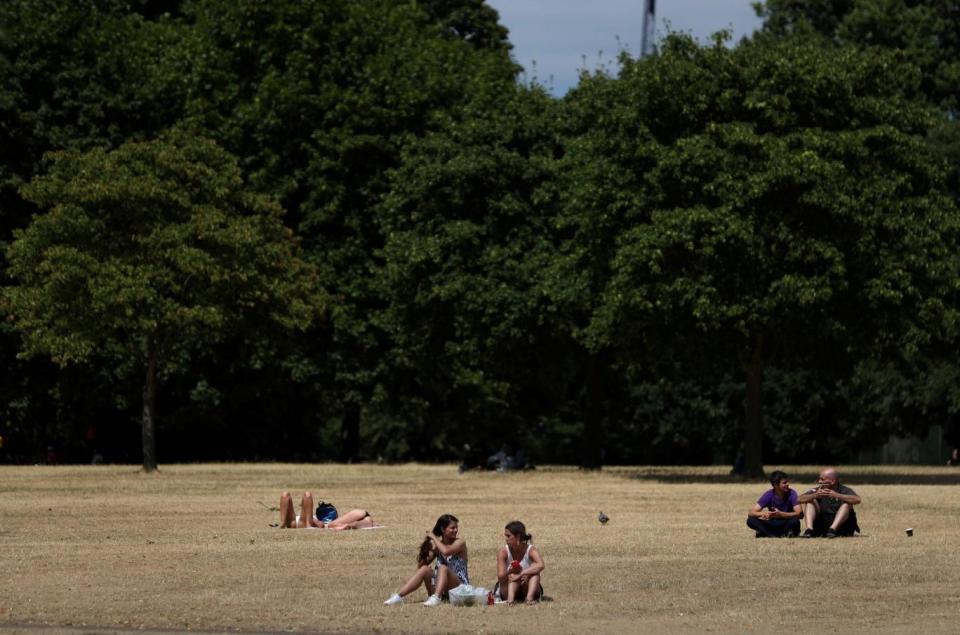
[{"x": 828, "y": 507}]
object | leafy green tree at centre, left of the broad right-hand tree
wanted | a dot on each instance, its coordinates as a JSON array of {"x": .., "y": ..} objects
[{"x": 467, "y": 243}]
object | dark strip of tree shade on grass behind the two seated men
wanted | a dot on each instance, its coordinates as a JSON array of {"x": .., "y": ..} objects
[{"x": 802, "y": 479}]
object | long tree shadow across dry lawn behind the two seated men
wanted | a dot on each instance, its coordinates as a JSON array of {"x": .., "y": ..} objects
[{"x": 801, "y": 476}]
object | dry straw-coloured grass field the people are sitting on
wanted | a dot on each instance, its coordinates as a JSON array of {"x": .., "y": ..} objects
[{"x": 108, "y": 548}]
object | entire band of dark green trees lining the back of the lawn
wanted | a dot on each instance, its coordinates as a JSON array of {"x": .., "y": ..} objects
[{"x": 322, "y": 230}]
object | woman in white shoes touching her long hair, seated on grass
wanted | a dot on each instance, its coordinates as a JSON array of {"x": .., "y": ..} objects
[{"x": 448, "y": 552}]
